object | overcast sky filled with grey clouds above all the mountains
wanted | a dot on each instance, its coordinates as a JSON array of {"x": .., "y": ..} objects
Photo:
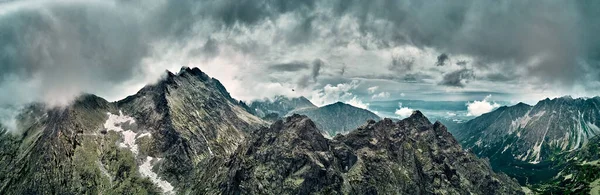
[{"x": 328, "y": 50}]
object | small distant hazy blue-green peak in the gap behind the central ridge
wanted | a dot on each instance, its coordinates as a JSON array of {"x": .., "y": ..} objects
[{"x": 338, "y": 117}]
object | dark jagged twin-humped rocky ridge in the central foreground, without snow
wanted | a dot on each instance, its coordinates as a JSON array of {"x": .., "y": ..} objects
[{"x": 411, "y": 156}]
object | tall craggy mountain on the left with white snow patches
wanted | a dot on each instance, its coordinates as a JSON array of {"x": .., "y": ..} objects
[{"x": 151, "y": 142}]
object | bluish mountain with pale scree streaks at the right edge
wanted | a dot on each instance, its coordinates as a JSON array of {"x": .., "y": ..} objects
[{"x": 531, "y": 143}]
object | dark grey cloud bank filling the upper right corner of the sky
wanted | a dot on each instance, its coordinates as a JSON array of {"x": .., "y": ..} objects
[{"x": 520, "y": 32}]
